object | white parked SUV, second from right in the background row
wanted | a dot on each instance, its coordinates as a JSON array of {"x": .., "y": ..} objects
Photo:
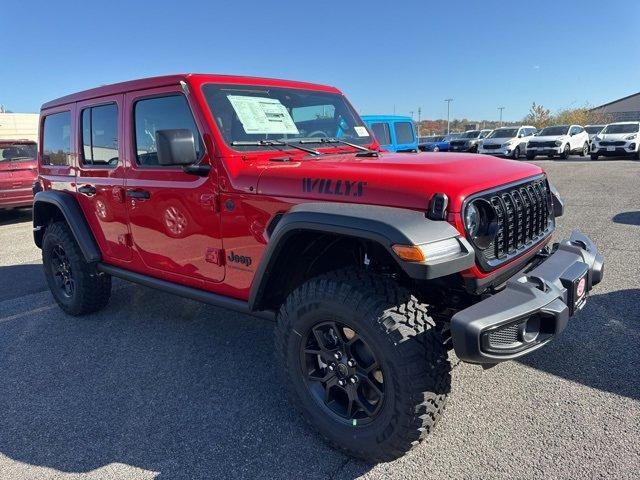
[{"x": 559, "y": 140}]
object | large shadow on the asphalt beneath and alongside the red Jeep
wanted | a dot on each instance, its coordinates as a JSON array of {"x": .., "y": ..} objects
[{"x": 154, "y": 382}]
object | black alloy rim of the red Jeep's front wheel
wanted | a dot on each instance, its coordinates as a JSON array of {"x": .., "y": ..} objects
[{"x": 342, "y": 373}]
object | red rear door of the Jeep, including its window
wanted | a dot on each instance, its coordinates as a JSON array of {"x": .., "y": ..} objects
[{"x": 101, "y": 171}]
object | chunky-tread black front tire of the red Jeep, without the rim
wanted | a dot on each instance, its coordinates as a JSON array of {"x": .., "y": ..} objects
[{"x": 404, "y": 337}]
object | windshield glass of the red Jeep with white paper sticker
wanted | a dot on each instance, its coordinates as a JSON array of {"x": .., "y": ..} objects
[{"x": 247, "y": 113}]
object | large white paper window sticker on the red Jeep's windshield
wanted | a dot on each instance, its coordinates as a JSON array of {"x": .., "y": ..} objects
[{"x": 262, "y": 115}]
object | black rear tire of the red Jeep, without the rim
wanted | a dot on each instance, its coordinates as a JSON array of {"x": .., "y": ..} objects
[{"x": 92, "y": 288}]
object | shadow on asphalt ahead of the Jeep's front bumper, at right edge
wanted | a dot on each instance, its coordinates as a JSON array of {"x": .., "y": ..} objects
[{"x": 600, "y": 347}]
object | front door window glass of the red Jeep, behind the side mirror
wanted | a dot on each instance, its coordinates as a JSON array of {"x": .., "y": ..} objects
[{"x": 161, "y": 113}]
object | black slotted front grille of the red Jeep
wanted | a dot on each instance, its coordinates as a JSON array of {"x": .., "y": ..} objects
[{"x": 523, "y": 219}]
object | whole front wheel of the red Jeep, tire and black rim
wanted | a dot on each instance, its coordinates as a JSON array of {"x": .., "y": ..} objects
[{"x": 363, "y": 363}]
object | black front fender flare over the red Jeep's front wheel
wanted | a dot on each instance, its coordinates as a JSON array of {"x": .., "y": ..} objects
[{"x": 386, "y": 226}]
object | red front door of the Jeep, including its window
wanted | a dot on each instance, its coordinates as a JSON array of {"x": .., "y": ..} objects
[{"x": 174, "y": 222}]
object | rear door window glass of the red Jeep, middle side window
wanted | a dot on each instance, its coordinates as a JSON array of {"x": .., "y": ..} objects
[{"x": 100, "y": 135}]
